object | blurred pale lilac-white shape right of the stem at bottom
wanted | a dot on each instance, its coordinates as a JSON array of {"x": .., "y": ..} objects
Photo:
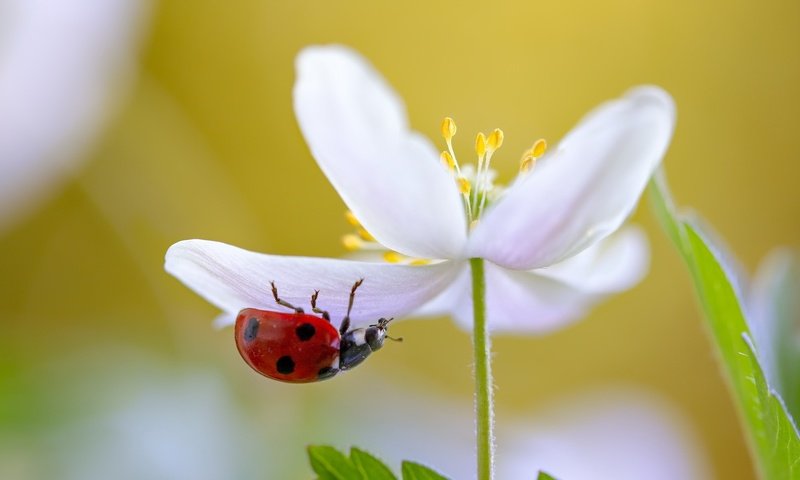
[{"x": 624, "y": 434}]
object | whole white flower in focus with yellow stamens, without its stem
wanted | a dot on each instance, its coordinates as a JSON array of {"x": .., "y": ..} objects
[{"x": 546, "y": 239}]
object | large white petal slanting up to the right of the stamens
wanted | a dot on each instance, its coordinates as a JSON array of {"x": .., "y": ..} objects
[{"x": 584, "y": 189}]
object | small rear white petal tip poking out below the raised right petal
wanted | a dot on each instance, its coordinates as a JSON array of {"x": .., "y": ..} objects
[{"x": 614, "y": 264}]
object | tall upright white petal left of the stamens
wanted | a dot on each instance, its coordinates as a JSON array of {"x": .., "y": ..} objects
[{"x": 389, "y": 176}]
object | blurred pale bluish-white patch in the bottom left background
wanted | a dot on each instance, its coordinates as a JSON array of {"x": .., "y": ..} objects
[{"x": 184, "y": 427}]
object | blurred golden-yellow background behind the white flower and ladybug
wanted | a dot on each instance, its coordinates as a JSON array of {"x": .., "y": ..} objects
[{"x": 206, "y": 146}]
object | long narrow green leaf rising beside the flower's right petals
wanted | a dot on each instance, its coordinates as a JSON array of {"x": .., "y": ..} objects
[{"x": 772, "y": 436}]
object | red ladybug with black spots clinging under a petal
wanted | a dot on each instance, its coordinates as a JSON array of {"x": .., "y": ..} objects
[{"x": 301, "y": 348}]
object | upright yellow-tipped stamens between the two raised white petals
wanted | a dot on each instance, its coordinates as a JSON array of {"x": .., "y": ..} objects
[{"x": 476, "y": 183}]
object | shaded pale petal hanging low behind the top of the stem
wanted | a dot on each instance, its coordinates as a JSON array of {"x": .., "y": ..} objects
[{"x": 516, "y": 302}]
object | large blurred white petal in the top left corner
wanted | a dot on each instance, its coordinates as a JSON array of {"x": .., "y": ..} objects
[{"x": 63, "y": 66}]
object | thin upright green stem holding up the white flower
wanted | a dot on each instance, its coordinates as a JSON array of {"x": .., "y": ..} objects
[{"x": 484, "y": 412}]
